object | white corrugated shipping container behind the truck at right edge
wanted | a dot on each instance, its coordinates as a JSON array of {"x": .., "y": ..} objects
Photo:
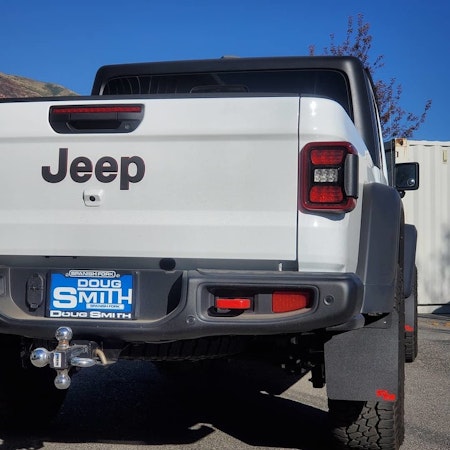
[{"x": 428, "y": 209}]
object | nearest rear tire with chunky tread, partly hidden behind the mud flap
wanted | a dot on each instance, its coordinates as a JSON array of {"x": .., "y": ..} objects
[{"x": 371, "y": 424}]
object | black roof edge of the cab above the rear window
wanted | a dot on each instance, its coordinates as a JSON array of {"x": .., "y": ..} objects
[{"x": 348, "y": 64}]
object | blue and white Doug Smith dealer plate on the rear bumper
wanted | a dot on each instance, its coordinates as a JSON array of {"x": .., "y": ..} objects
[{"x": 91, "y": 294}]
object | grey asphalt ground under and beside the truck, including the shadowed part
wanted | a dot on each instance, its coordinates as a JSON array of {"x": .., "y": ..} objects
[{"x": 133, "y": 405}]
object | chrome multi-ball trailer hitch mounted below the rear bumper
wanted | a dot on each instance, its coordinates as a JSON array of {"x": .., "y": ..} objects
[{"x": 65, "y": 356}]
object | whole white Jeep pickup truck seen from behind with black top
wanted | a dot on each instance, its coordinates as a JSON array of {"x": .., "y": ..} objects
[{"x": 191, "y": 210}]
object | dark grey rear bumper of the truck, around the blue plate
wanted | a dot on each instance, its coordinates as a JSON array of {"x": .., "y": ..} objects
[{"x": 180, "y": 305}]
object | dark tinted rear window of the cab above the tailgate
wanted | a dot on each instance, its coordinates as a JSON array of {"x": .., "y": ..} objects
[{"x": 319, "y": 83}]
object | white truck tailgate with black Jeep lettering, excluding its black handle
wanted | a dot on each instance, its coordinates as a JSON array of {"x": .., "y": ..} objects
[{"x": 220, "y": 181}]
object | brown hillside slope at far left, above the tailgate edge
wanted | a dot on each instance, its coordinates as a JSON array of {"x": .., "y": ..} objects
[{"x": 15, "y": 86}]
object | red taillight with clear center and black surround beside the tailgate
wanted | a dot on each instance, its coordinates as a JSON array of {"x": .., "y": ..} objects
[{"x": 328, "y": 177}]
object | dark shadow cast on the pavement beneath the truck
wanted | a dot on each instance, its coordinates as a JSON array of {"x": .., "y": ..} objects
[{"x": 134, "y": 403}]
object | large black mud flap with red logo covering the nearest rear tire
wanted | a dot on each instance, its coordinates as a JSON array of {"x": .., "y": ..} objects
[{"x": 364, "y": 364}]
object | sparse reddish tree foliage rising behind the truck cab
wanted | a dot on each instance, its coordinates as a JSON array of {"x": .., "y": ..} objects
[{"x": 395, "y": 121}]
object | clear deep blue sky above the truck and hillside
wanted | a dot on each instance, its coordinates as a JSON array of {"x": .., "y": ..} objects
[{"x": 64, "y": 42}]
